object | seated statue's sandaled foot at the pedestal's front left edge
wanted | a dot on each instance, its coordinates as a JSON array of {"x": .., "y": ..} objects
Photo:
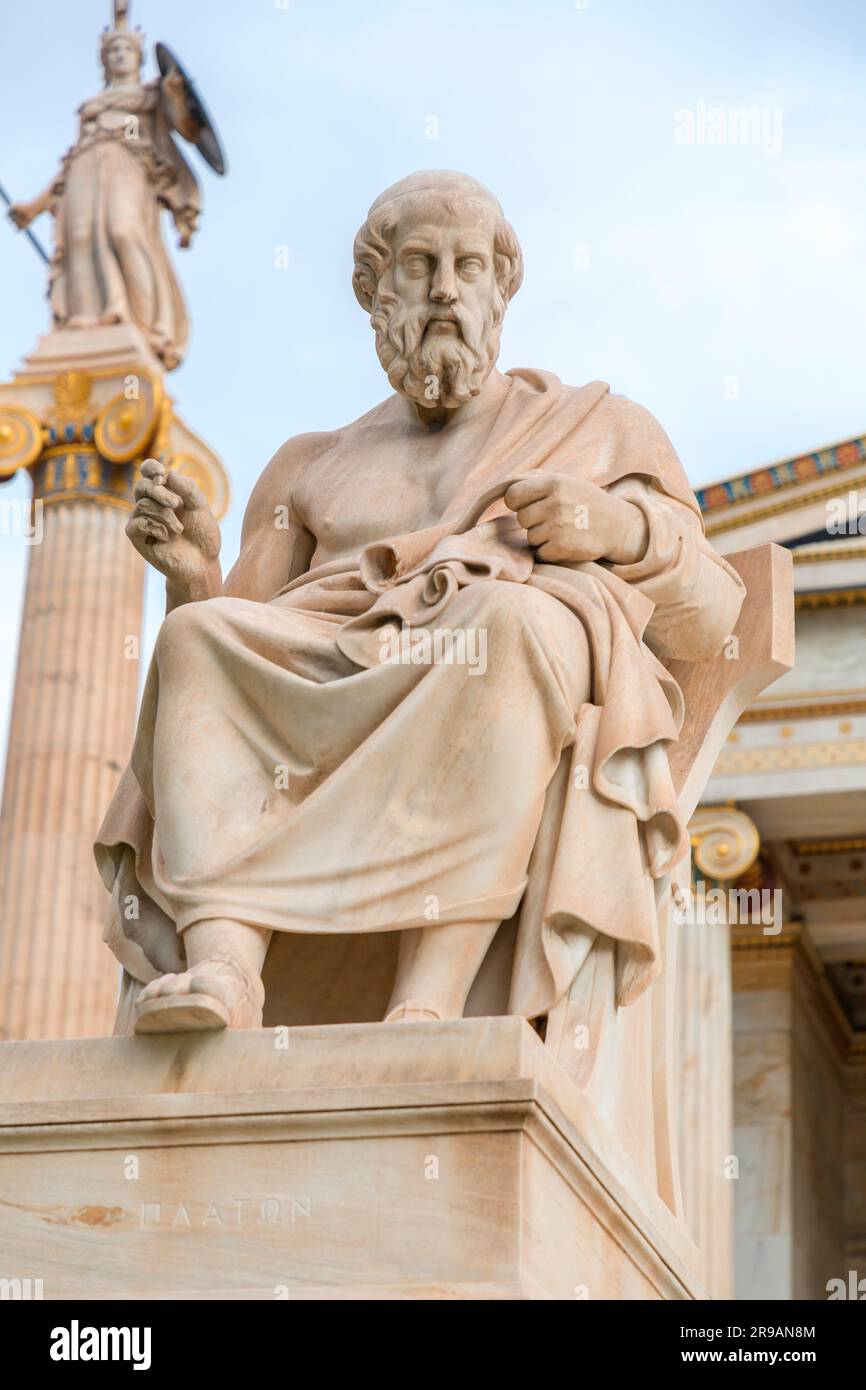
[{"x": 216, "y": 993}]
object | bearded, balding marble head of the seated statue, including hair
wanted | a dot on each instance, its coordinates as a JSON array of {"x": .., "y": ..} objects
[{"x": 436, "y": 266}]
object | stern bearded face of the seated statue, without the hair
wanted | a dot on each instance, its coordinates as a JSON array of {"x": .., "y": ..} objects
[{"x": 439, "y": 309}]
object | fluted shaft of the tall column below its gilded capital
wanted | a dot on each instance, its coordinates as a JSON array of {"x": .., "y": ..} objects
[{"x": 70, "y": 736}]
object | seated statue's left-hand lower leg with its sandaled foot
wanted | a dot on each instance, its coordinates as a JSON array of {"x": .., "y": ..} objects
[{"x": 222, "y": 988}]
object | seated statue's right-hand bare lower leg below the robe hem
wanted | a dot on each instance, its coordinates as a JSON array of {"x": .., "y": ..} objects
[{"x": 437, "y": 967}]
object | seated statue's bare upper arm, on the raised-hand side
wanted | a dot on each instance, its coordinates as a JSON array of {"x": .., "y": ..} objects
[{"x": 276, "y": 546}]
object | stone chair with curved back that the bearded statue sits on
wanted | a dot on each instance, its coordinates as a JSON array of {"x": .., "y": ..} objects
[{"x": 347, "y": 979}]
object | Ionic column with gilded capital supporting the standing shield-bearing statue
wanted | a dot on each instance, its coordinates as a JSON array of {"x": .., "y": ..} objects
[{"x": 80, "y": 418}]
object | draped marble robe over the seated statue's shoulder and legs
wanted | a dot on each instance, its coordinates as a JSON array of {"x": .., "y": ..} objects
[{"x": 287, "y": 775}]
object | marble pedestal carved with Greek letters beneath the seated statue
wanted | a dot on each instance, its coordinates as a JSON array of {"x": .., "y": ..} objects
[{"x": 359, "y": 1161}]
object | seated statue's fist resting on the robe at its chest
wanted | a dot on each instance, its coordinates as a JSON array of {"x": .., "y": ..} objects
[{"x": 571, "y": 521}]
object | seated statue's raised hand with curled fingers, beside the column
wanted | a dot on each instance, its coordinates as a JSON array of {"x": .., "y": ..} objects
[{"x": 174, "y": 529}]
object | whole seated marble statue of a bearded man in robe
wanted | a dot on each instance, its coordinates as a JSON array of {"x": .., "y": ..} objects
[{"x": 433, "y": 698}]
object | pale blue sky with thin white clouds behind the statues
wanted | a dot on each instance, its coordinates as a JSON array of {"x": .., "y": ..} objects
[{"x": 721, "y": 286}]
